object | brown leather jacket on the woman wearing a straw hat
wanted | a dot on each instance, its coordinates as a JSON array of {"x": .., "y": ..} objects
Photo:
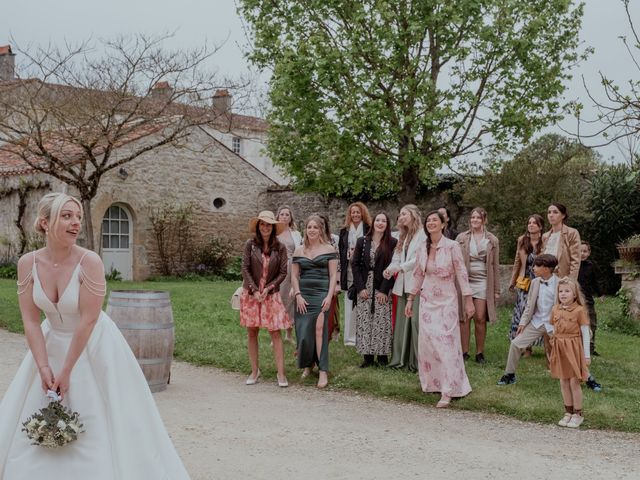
[{"x": 252, "y": 267}]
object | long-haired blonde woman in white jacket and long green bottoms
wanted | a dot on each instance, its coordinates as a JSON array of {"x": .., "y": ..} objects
[{"x": 405, "y": 334}]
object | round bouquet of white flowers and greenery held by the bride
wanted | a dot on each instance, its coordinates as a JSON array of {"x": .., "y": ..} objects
[{"x": 54, "y": 425}]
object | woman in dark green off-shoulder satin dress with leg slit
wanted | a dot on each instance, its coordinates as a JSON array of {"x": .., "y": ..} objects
[{"x": 313, "y": 278}]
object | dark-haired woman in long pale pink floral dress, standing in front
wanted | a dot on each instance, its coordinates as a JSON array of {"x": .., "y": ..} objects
[{"x": 439, "y": 264}]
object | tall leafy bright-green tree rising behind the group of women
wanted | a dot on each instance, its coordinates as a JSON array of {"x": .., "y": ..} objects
[{"x": 370, "y": 97}]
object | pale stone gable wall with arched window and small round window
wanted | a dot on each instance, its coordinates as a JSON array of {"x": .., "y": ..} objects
[{"x": 223, "y": 188}]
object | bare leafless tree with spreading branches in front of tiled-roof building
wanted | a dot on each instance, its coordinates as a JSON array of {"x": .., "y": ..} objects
[{"x": 72, "y": 109}]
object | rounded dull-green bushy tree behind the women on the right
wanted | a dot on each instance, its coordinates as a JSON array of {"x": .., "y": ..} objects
[{"x": 552, "y": 168}]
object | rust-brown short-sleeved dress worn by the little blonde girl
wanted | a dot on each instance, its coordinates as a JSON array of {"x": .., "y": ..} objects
[{"x": 567, "y": 352}]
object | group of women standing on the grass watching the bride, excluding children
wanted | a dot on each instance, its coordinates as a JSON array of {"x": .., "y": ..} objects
[{"x": 455, "y": 277}]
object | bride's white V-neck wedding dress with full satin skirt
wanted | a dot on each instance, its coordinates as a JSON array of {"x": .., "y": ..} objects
[{"x": 125, "y": 438}]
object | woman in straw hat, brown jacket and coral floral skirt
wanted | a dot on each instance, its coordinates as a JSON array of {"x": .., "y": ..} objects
[{"x": 264, "y": 267}]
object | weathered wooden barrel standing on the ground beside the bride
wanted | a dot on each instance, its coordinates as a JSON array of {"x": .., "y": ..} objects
[{"x": 145, "y": 319}]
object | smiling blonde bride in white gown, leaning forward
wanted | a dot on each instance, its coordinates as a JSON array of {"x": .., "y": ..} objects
[{"x": 79, "y": 351}]
